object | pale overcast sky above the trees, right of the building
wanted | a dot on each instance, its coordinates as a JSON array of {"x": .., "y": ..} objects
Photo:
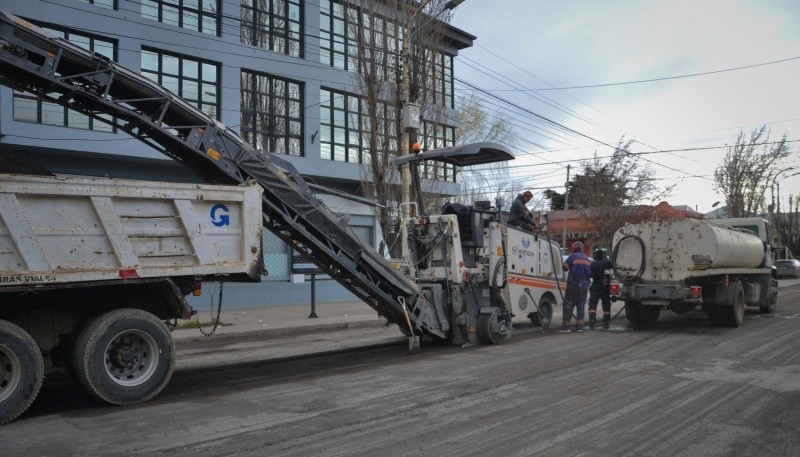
[{"x": 544, "y": 44}]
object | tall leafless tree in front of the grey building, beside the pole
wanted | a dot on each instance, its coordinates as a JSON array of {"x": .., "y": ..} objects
[{"x": 376, "y": 33}]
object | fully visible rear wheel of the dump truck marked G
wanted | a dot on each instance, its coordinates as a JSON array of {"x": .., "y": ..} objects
[{"x": 124, "y": 356}]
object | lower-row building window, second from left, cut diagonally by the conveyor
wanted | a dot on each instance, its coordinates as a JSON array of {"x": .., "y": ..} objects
[{"x": 195, "y": 81}]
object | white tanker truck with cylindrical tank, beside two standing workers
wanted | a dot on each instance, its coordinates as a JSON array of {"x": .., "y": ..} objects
[{"x": 719, "y": 265}]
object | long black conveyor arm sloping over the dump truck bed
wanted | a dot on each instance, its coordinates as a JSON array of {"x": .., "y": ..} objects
[{"x": 32, "y": 61}]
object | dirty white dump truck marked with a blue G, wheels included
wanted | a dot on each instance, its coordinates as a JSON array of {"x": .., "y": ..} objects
[{"x": 90, "y": 268}]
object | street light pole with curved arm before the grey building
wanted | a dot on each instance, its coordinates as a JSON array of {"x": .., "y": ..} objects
[{"x": 411, "y": 110}]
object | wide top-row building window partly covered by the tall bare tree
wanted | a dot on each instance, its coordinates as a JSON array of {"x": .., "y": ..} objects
[{"x": 340, "y": 44}]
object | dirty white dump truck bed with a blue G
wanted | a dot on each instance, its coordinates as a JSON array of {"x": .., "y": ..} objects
[{"x": 68, "y": 229}]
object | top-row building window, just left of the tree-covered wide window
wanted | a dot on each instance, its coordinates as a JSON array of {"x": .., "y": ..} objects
[{"x": 273, "y": 25}]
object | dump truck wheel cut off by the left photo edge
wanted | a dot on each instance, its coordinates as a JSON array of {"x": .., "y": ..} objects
[{"x": 21, "y": 371}]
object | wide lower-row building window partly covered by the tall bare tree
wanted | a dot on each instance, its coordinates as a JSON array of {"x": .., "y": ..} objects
[{"x": 345, "y": 127}]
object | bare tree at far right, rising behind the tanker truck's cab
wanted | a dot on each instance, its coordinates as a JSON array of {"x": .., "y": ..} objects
[{"x": 749, "y": 169}]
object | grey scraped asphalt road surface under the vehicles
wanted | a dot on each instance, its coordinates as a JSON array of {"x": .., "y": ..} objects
[{"x": 679, "y": 388}]
